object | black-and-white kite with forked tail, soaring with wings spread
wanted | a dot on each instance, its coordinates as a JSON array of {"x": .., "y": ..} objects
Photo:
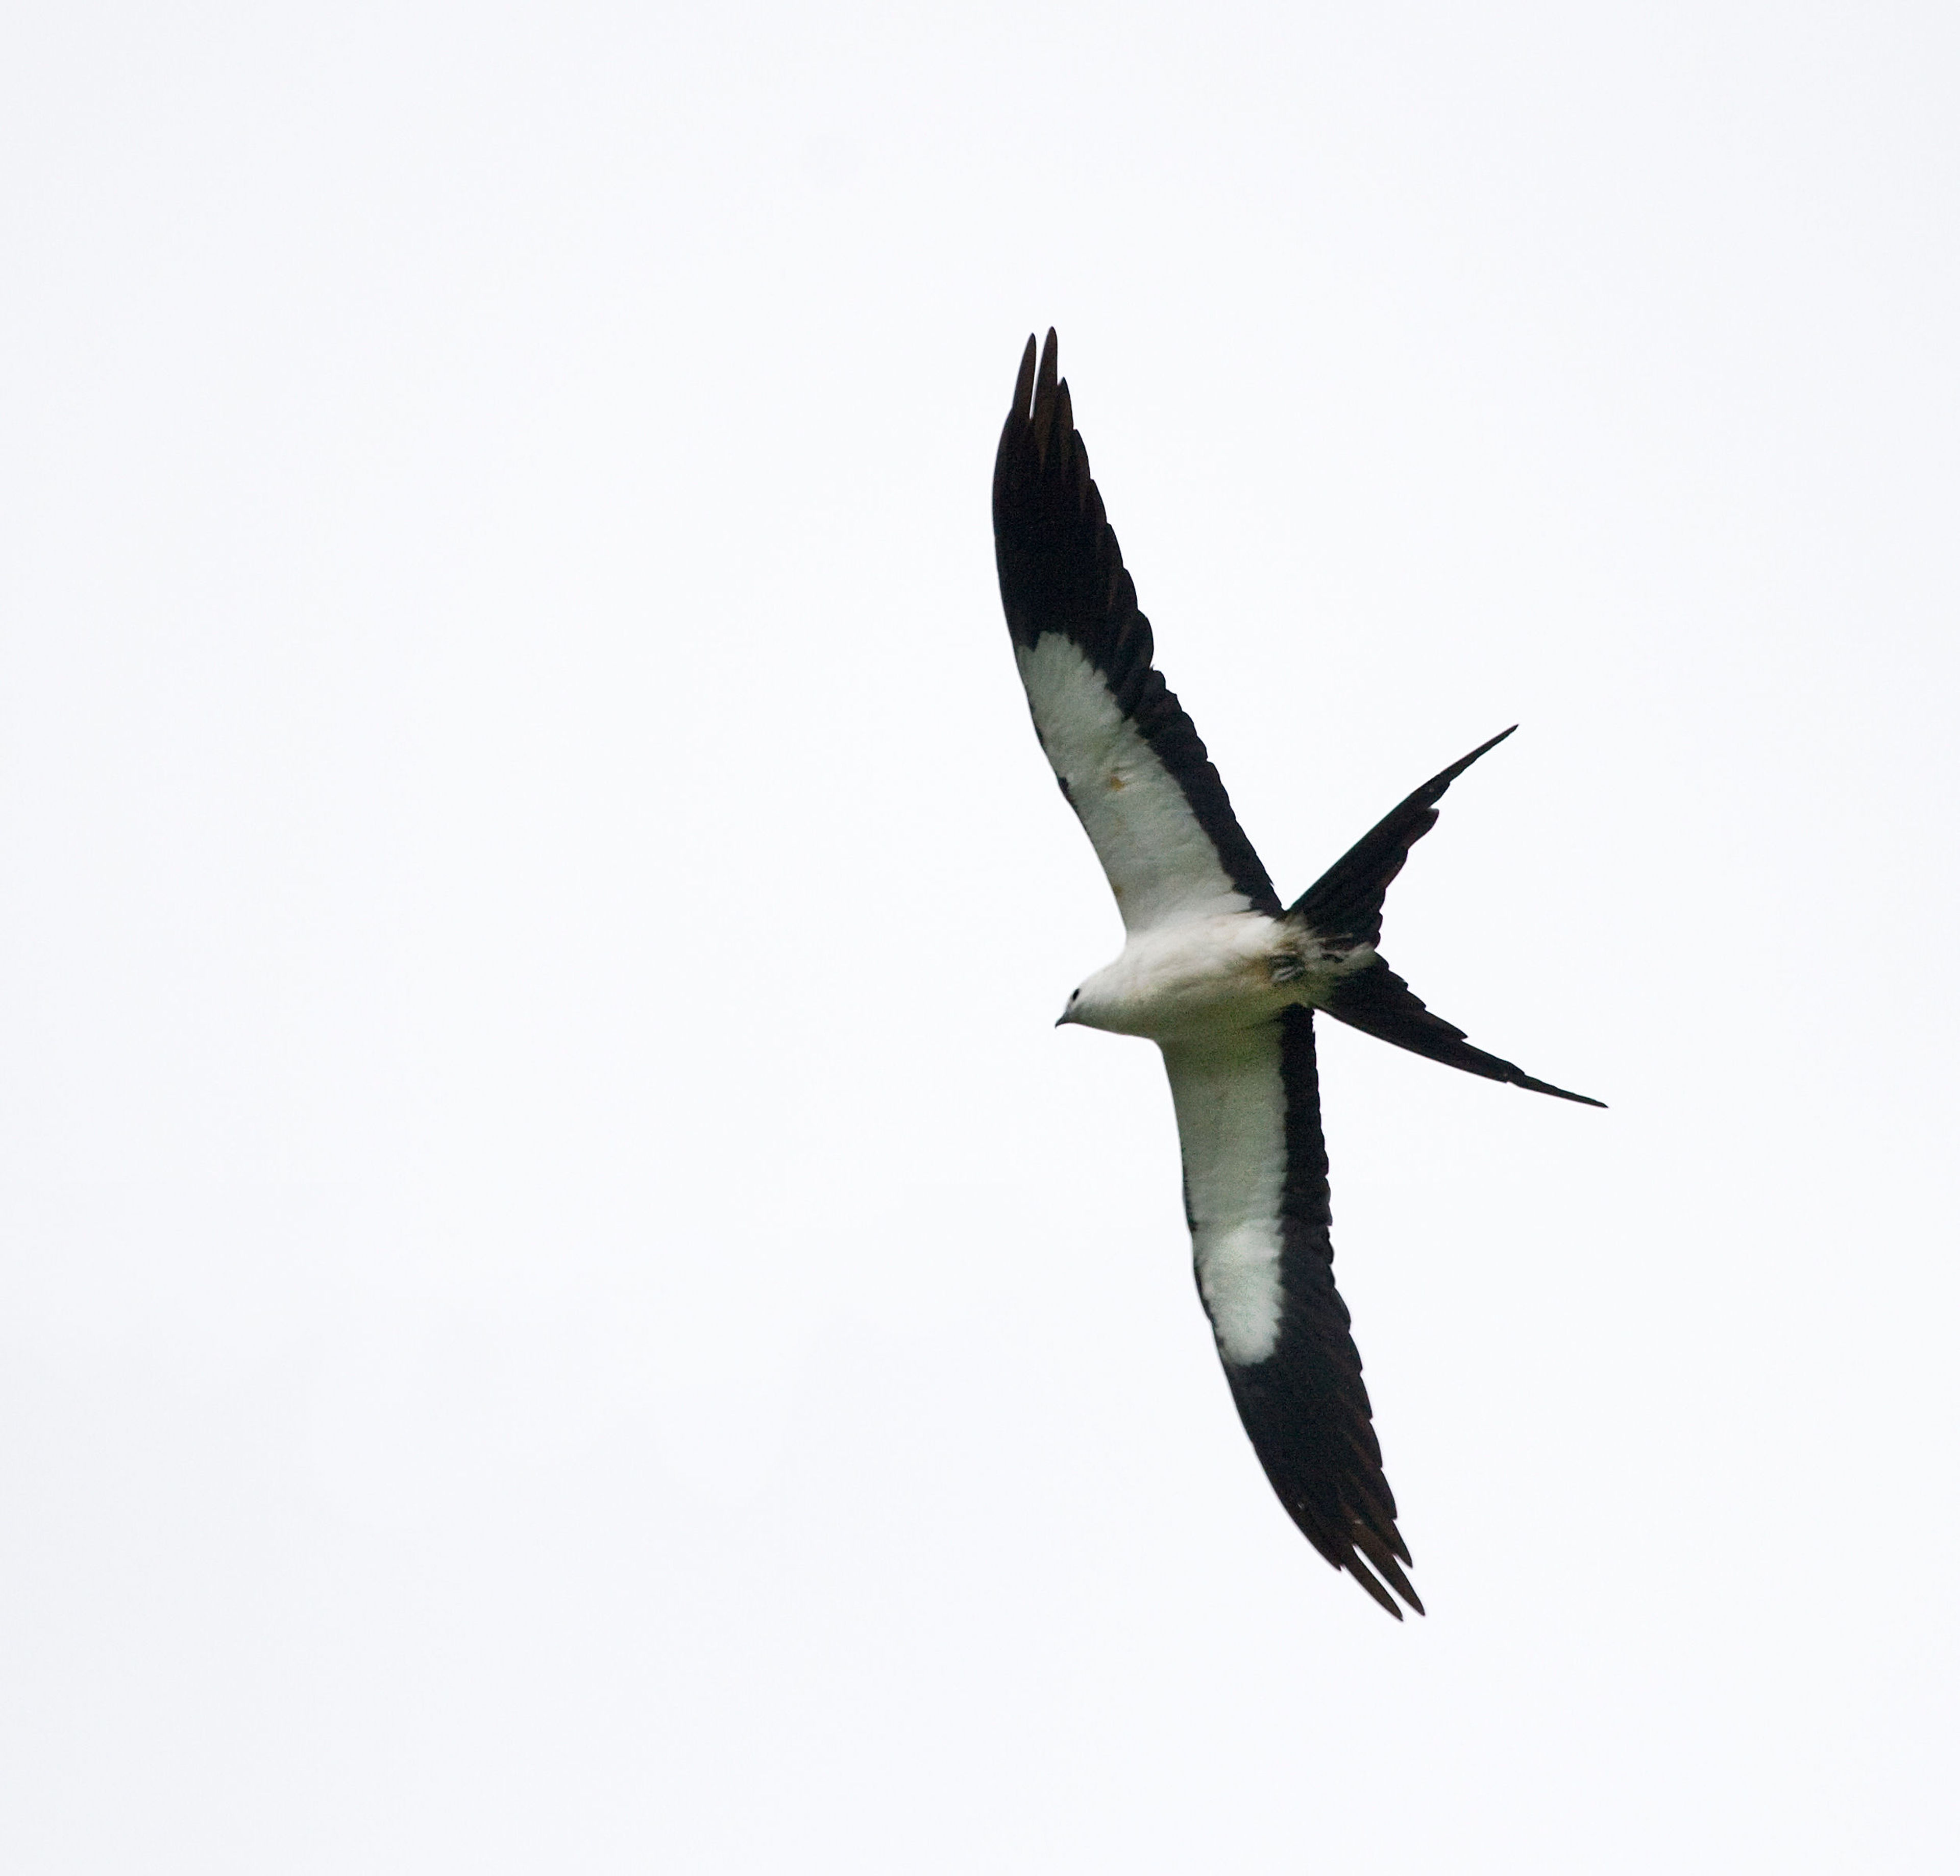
[{"x": 1224, "y": 979}]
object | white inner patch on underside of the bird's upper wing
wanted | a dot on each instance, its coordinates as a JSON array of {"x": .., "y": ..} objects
[{"x": 1159, "y": 862}]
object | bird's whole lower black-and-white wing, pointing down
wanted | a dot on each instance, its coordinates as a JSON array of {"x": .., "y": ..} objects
[{"x": 1255, "y": 1189}]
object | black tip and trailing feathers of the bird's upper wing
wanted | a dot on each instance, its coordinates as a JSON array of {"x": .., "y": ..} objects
[{"x": 1061, "y": 571}]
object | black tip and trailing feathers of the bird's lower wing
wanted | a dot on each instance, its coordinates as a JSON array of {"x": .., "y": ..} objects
[{"x": 1304, "y": 1407}]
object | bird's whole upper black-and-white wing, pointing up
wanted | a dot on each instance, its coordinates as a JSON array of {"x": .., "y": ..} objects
[{"x": 1124, "y": 750}]
